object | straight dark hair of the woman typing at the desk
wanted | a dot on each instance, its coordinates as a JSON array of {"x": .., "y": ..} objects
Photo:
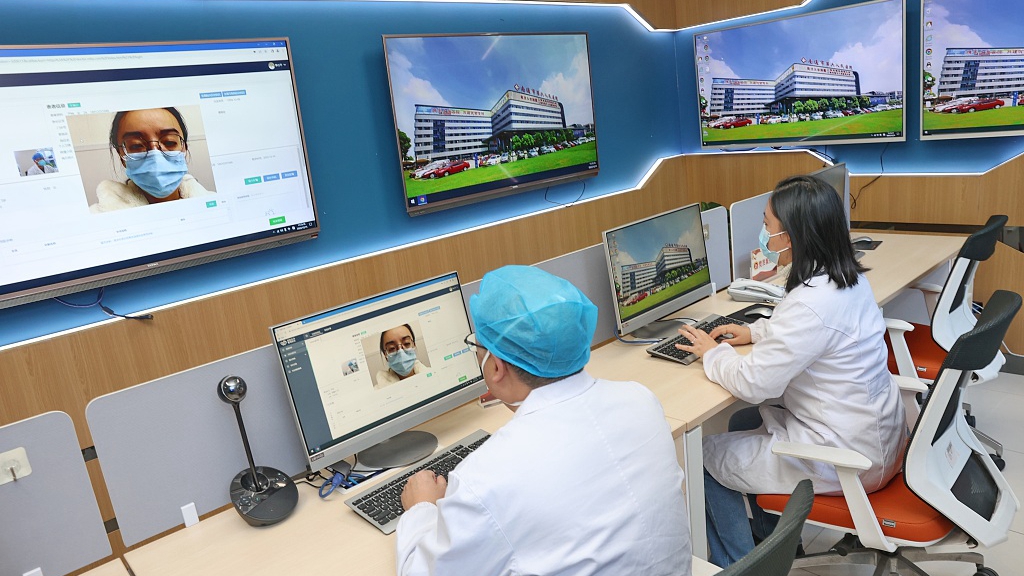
[{"x": 812, "y": 213}]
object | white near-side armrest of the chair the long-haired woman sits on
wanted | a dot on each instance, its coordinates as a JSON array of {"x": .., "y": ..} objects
[{"x": 848, "y": 464}]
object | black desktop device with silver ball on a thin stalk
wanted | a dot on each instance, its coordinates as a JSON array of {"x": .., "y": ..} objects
[{"x": 262, "y": 496}]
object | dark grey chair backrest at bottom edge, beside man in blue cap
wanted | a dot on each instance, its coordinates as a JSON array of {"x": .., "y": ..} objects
[{"x": 774, "y": 557}]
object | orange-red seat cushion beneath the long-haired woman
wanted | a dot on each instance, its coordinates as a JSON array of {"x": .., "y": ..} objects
[{"x": 903, "y": 515}]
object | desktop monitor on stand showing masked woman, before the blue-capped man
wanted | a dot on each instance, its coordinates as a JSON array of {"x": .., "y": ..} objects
[{"x": 348, "y": 396}]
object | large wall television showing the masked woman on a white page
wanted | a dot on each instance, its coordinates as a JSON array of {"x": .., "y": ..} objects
[{"x": 124, "y": 160}]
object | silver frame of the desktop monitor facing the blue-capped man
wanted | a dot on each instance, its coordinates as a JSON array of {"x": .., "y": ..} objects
[{"x": 342, "y": 449}]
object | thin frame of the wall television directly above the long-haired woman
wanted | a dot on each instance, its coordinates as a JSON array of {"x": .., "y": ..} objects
[{"x": 803, "y": 143}]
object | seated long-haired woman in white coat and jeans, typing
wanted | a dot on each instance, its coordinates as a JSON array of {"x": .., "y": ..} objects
[{"x": 822, "y": 356}]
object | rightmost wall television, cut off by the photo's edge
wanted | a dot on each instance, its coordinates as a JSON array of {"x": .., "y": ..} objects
[{"x": 973, "y": 69}]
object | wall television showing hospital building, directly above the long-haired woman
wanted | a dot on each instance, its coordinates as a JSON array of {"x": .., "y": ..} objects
[{"x": 829, "y": 77}]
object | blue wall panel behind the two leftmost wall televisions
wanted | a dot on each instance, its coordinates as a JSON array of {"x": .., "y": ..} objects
[{"x": 344, "y": 93}]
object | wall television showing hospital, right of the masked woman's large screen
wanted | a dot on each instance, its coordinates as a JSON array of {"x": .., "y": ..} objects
[{"x": 486, "y": 115}]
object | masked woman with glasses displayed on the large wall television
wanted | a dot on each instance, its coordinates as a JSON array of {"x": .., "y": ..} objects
[{"x": 153, "y": 146}]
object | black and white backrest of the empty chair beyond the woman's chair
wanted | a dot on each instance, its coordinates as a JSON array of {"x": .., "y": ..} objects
[{"x": 954, "y": 315}]
